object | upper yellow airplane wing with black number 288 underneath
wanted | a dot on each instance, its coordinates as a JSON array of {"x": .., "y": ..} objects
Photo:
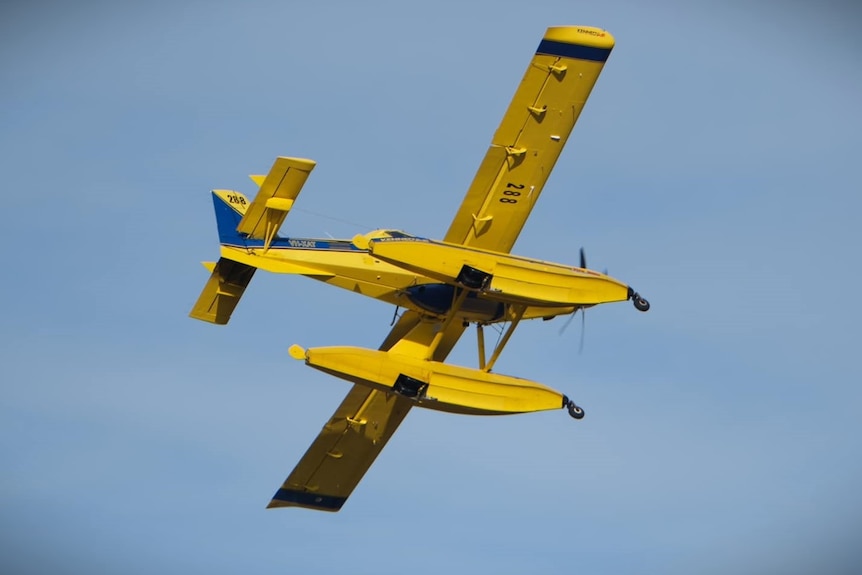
[{"x": 530, "y": 138}]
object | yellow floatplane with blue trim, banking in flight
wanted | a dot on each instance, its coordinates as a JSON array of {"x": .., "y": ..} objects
[{"x": 445, "y": 286}]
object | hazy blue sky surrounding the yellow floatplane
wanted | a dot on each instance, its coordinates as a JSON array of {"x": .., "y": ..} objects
[{"x": 715, "y": 169}]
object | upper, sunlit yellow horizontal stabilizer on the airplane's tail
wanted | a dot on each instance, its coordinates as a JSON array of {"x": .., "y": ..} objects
[{"x": 277, "y": 193}]
